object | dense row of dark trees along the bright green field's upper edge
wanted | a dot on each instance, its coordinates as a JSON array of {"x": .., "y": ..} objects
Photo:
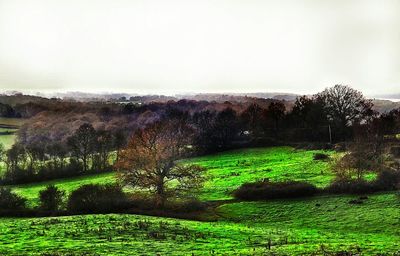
[{"x": 329, "y": 116}]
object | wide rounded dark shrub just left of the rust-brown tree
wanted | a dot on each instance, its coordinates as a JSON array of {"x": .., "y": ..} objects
[{"x": 93, "y": 198}]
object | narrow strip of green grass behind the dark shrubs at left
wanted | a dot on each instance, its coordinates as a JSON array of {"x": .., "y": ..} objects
[{"x": 31, "y": 191}]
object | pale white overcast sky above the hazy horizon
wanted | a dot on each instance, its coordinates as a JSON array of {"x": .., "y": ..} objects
[{"x": 168, "y": 47}]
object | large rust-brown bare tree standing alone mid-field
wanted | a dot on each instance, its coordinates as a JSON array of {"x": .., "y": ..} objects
[{"x": 150, "y": 160}]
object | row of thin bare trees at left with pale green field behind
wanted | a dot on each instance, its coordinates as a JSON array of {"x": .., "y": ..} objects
[{"x": 87, "y": 150}]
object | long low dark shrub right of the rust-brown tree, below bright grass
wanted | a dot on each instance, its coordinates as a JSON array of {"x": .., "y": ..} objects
[{"x": 270, "y": 190}]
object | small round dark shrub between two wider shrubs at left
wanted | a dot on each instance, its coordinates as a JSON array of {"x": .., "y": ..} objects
[{"x": 51, "y": 198}]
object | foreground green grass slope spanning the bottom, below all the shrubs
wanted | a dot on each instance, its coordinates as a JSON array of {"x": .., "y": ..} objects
[{"x": 295, "y": 227}]
